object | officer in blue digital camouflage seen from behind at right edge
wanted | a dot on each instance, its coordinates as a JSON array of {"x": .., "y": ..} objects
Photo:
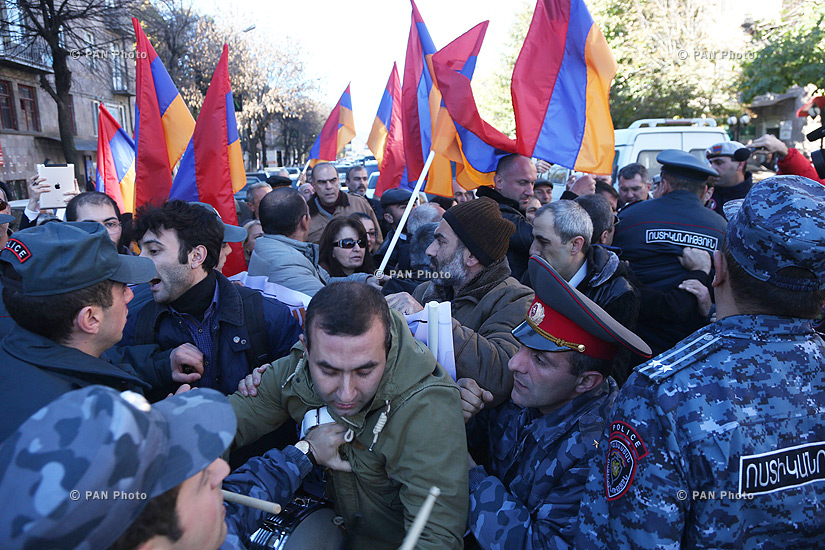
[{"x": 718, "y": 443}]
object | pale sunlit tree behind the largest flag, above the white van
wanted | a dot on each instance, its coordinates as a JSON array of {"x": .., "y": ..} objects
[{"x": 677, "y": 58}]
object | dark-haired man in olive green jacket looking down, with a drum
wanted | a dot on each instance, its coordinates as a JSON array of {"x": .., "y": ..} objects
[{"x": 396, "y": 404}]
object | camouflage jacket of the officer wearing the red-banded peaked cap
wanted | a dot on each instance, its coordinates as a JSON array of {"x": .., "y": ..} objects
[{"x": 538, "y": 467}]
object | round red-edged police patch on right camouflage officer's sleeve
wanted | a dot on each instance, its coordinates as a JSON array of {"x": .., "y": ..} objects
[{"x": 624, "y": 450}]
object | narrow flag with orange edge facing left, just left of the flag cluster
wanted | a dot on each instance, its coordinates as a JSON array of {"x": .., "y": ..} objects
[{"x": 386, "y": 139}]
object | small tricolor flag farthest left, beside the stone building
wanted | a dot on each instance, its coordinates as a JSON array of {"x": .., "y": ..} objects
[{"x": 115, "y": 162}]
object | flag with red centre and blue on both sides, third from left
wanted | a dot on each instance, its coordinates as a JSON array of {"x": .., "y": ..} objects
[{"x": 212, "y": 169}]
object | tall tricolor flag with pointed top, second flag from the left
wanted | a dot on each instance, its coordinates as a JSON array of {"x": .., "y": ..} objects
[{"x": 163, "y": 123}]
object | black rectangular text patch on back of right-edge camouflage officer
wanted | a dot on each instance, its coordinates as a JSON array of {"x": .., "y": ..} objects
[{"x": 782, "y": 469}]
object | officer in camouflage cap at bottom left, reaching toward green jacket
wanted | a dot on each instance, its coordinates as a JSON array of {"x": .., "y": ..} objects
[{"x": 102, "y": 469}]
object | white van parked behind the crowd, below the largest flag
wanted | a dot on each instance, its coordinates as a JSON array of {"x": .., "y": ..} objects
[{"x": 646, "y": 138}]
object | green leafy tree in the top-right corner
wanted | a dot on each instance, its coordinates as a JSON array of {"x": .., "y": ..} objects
[{"x": 788, "y": 52}]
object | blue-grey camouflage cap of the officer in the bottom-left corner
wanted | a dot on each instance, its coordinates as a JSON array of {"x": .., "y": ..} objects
[{"x": 97, "y": 439}]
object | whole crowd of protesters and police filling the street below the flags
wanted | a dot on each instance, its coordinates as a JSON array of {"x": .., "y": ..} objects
[{"x": 636, "y": 366}]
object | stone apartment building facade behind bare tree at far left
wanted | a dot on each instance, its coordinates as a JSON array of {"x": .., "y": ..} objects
[{"x": 103, "y": 71}]
